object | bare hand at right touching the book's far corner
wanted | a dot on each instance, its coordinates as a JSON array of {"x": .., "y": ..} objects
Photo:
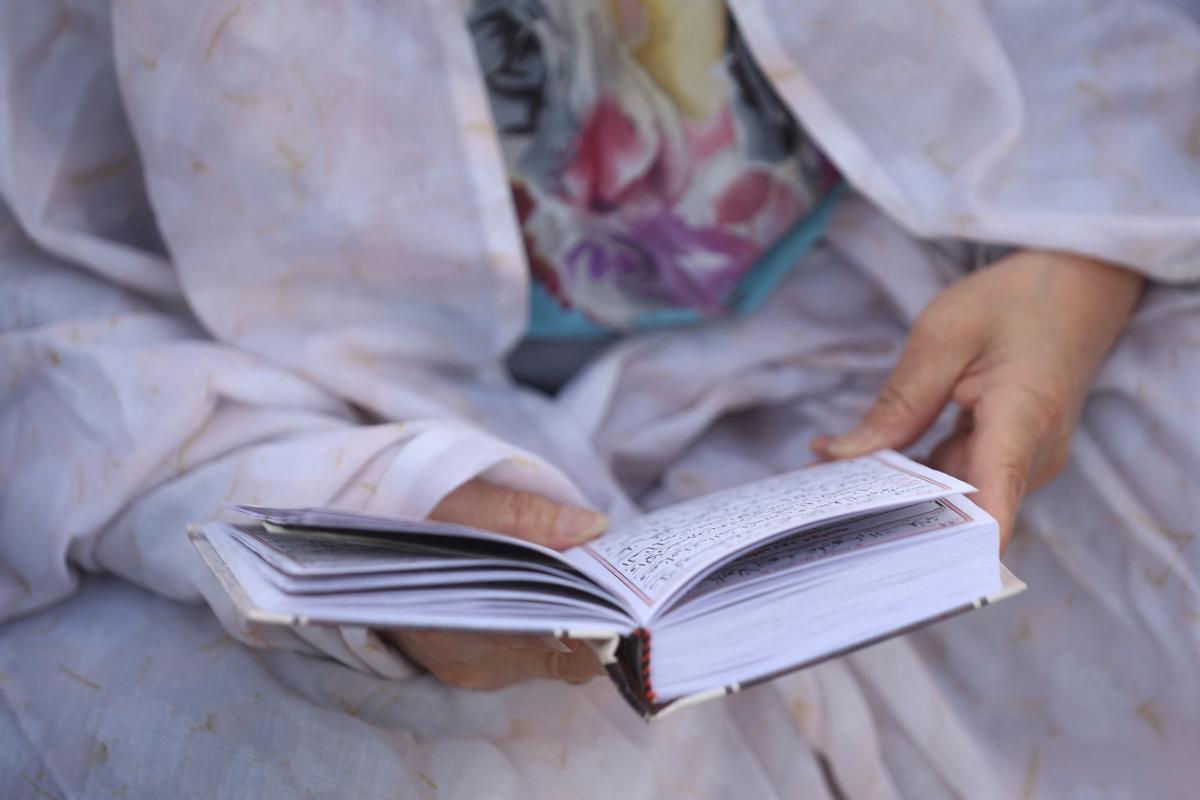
[{"x": 1016, "y": 347}]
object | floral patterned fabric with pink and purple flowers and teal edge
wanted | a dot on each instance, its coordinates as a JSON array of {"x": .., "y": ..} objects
[{"x": 652, "y": 164}]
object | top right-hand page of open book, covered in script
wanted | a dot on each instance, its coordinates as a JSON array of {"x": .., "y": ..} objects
[{"x": 653, "y": 556}]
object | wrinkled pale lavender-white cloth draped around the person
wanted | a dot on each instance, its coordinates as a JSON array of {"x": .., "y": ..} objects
[{"x": 266, "y": 252}]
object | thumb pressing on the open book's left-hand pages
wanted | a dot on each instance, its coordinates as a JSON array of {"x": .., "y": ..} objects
[{"x": 521, "y": 515}]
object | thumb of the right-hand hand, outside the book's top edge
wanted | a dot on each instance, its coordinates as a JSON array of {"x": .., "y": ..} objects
[{"x": 910, "y": 401}]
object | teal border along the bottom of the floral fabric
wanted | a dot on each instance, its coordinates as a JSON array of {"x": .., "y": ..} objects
[{"x": 550, "y": 321}]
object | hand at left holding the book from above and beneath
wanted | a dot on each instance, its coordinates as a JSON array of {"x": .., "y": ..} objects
[{"x": 483, "y": 661}]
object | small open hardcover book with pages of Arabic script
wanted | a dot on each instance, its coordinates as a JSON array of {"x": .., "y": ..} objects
[{"x": 688, "y": 603}]
